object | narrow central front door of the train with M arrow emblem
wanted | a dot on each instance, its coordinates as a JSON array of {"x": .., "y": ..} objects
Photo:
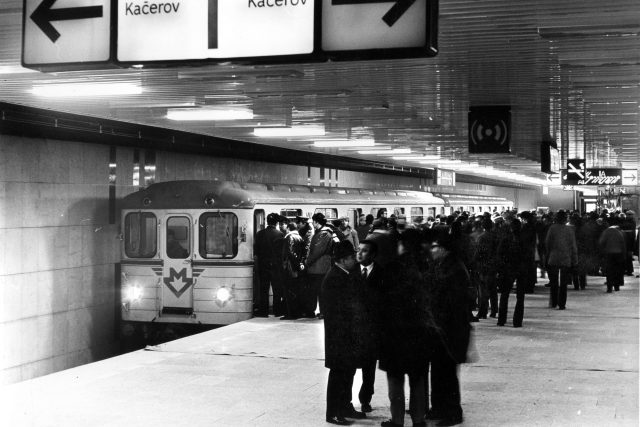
[{"x": 177, "y": 274}]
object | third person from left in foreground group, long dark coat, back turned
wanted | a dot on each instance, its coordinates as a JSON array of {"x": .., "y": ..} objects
[{"x": 406, "y": 329}]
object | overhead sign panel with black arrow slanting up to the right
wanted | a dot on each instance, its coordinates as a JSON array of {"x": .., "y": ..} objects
[{"x": 381, "y": 28}]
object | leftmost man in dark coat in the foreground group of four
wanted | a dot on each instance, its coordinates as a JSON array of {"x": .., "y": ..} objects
[{"x": 342, "y": 343}]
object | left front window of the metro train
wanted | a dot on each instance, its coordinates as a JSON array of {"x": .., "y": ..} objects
[{"x": 140, "y": 240}]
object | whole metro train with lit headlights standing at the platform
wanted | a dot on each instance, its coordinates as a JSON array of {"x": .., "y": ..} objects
[{"x": 187, "y": 246}]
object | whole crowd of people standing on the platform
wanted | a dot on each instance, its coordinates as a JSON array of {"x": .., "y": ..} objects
[{"x": 402, "y": 296}]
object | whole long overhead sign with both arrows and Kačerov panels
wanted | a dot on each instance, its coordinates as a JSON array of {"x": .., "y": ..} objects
[{"x": 70, "y": 34}]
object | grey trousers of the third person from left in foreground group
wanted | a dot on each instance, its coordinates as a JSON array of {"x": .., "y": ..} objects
[{"x": 416, "y": 397}]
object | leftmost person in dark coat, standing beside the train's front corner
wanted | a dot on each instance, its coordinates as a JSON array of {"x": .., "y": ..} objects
[{"x": 268, "y": 251}]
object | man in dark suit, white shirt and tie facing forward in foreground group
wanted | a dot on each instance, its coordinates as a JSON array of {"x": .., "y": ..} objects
[{"x": 370, "y": 285}]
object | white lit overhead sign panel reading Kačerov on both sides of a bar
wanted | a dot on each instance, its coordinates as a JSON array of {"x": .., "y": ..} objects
[{"x": 165, "y": 30}]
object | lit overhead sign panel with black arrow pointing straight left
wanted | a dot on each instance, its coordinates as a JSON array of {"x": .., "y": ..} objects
[{"x": 57, "y": 32}]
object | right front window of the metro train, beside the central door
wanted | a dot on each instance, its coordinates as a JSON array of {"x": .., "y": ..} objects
[{"x": 218, "y": 235}]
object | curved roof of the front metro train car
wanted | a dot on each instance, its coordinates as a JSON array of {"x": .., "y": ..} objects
[{"x": 192, "y": 194}]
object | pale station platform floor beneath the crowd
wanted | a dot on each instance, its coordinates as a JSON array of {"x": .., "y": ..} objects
[{"x": 577, "y": 367}]
